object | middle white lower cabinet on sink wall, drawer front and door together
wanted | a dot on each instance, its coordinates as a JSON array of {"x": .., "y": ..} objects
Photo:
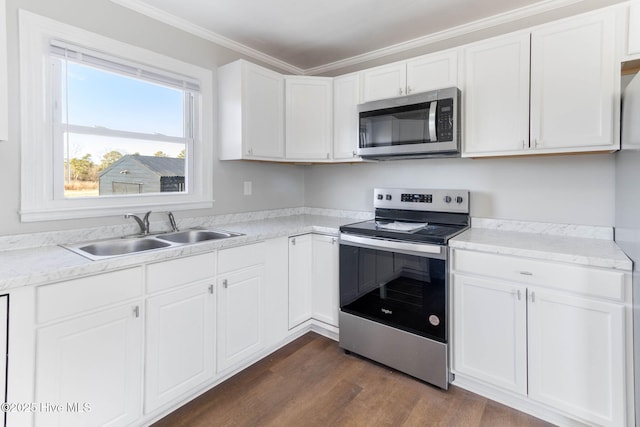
[{"x": 180, "y": 332}]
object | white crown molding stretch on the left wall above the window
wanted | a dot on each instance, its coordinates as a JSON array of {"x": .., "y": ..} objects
[{"x": 189, "y": 27}]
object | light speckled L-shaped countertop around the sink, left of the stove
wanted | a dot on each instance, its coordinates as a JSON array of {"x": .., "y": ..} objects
[{"x": 51, "y": 263}]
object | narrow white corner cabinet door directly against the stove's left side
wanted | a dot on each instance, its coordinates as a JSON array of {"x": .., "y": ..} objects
[{"x": 325, "y": 292}]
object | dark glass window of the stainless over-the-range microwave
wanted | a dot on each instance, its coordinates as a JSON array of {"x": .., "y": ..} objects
[{"x": 395, "y": 126}]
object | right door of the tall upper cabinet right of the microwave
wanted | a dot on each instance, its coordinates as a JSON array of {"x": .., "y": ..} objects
[{"x": 573, "y": 84}]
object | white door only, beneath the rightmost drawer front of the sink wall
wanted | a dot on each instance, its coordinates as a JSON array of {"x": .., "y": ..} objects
[{"x": 240, "y": 322}]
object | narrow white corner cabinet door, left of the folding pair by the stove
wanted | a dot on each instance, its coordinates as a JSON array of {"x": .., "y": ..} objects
[{"x": 300, "y": 279}]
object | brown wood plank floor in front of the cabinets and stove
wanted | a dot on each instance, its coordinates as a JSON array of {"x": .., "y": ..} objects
[{"x": 311, "y": 382}]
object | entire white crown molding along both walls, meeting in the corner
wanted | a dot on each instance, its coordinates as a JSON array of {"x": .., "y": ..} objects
[{"x": 461, "y": 30}]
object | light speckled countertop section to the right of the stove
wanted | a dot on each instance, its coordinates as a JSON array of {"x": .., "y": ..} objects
[{"x": 583, "y": 245}]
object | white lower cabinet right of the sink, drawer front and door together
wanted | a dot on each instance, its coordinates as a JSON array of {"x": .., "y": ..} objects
[{"x": 240, "y": 302}]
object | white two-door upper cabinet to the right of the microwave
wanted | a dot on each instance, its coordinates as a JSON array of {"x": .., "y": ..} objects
[{"x": 570, "y": 73}]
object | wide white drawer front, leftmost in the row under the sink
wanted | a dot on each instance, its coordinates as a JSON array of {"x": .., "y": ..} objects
[{"x": 88, "y": 293}]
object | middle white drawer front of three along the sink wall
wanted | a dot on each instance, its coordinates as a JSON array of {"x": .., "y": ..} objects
[{"x": 177, "y": 272}]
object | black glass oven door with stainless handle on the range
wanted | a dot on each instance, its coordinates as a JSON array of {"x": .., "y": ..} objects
[{"x": 399, "y": 284}]
